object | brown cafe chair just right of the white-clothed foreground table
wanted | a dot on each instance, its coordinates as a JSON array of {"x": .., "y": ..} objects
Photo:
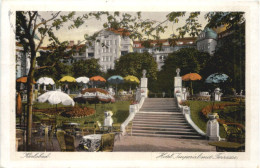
[{"x": 107, "y": 142}]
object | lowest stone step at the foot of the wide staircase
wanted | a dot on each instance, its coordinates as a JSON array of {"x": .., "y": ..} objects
[{"x": 169, "y": 136}]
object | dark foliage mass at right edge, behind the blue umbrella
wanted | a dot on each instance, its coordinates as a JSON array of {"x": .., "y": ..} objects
[{"x": 230, "y": 59}]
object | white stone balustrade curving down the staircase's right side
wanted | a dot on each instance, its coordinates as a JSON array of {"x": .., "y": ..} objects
[{"x": 186, "y": 113}]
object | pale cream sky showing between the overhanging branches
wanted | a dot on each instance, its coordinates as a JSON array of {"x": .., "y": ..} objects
[{"x": 93, "y": 25}]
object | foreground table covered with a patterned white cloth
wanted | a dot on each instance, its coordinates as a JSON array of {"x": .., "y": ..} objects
[{"x": 91, "y": 142}]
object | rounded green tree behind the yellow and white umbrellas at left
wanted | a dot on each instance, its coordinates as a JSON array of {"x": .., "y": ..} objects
[{"x": 88, "y": 68}]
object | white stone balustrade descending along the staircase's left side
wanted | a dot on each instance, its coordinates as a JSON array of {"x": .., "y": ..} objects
[{"x": 133, "y": 109}]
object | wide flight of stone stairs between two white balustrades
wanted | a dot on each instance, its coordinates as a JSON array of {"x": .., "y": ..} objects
[{"x": 161, "y": 117}]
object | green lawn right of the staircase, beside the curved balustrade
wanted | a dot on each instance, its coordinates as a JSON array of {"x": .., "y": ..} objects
[{"x": 199, "y": 119}]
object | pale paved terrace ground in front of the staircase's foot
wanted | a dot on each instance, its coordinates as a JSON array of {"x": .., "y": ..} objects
[{"x": 158, "y": 144}]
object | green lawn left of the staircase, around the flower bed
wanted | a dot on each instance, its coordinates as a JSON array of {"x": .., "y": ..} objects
[{"x": 120, "y": 111}]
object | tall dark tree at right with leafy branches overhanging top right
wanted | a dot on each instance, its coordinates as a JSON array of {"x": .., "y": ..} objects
[{"x": 230, "y": 54}]
